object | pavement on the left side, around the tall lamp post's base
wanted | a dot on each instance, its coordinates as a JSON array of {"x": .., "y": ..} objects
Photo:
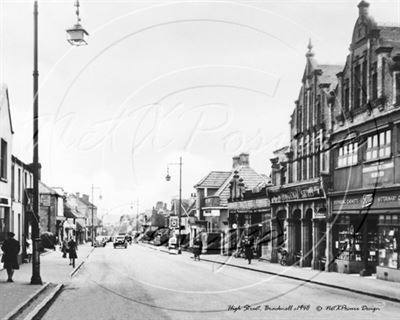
[{"x": 53, "y": 269}]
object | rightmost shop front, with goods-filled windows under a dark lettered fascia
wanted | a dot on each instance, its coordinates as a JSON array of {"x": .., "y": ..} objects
[{"x": 366, "y": 233}]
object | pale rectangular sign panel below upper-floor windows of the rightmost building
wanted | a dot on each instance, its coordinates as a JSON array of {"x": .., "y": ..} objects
[{"x": 377, "y": 174}]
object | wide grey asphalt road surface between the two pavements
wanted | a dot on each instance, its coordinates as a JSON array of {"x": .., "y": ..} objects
[{"x": 142, "y": 283}]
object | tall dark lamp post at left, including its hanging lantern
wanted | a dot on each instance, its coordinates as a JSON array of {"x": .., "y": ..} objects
[{"x": 79, "y": 37}]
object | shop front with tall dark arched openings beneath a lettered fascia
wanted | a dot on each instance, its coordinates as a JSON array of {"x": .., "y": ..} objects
[{"x": 298, "y": 225}]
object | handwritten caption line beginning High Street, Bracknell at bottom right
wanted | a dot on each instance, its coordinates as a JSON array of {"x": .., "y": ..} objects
[{"x": 301, "y": 307}]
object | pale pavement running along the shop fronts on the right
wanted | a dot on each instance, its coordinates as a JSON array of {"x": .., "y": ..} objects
[{"x": 370, "y": 286}]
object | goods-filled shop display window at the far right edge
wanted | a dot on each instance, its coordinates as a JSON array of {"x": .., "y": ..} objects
[{"x": 389, "y": 241}]
